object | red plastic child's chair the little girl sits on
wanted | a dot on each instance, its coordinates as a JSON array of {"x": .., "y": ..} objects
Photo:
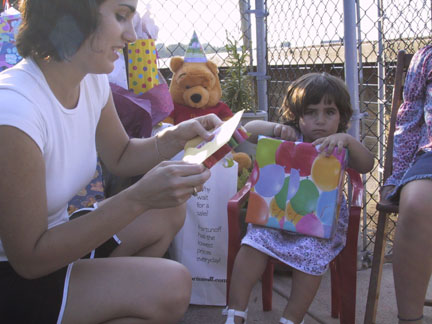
[{"x": 343, "y": 268}]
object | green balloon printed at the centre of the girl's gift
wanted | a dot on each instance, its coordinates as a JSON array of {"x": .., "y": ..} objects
[{"x": 305, "y": 199}]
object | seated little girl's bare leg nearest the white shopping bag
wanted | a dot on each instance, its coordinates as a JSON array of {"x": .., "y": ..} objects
[{"x": 249, "y": 265}]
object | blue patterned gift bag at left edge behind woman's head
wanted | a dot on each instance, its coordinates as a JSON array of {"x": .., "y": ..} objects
[{"x": 9, "y": 23}]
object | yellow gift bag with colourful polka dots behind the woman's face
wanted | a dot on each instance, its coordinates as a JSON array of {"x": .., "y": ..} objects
[{"x": 142, "y": 66}]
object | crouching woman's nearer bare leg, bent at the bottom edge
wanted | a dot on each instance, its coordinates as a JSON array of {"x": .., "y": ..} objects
[{"x": 127, "y": 290}]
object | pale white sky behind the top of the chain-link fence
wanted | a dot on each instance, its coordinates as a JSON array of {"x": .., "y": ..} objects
[{"x": 296, "y": 21}]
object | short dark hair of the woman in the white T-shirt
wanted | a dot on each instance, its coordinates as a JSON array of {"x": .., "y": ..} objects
[{"x": 56, "y": 29}]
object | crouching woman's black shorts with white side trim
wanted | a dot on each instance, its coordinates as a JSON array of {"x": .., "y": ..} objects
[{"x": 41, "y": 300}]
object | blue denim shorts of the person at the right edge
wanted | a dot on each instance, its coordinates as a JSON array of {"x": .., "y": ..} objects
[{"x": 420, "y": 169}]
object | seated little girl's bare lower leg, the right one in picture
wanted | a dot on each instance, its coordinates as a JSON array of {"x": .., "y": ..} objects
[{"x": 303, "y": 290}]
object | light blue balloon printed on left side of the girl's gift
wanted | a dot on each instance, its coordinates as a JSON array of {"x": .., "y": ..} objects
[{"x": 271, "y": 180}]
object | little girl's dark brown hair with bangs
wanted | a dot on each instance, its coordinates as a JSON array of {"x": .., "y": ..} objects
[{"x": 310, "y": 89}]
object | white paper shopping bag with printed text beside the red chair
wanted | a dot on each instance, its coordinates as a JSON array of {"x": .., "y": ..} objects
[{"x": 202, "y": 244}]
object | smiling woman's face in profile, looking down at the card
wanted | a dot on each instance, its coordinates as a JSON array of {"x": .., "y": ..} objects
[{"x": 115, "y": 30}]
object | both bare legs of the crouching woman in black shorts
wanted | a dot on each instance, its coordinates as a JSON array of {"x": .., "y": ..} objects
[{"x": 124, "y": 289}]
